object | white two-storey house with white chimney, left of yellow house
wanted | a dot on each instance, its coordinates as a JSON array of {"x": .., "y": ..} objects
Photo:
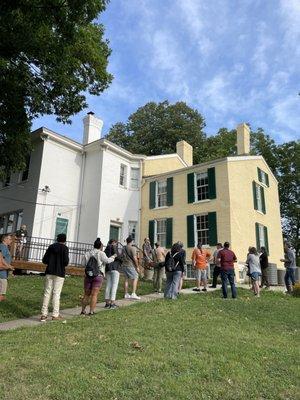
[{"x": 86, "y": 190}]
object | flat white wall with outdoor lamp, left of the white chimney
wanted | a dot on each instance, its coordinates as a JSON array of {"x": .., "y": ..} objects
[{"x": 60, "y": 170}]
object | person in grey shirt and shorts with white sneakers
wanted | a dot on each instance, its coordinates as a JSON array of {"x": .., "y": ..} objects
[{"x": 130, "y": 269}]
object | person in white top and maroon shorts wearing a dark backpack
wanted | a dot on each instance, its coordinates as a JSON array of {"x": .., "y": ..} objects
[{"x": 94, "y": 262}]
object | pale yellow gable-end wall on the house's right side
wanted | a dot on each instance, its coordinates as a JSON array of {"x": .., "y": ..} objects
[{"x": 243, "y": 216}]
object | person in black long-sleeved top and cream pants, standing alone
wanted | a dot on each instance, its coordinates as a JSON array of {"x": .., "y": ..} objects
[{"x": 56, "y": 258}]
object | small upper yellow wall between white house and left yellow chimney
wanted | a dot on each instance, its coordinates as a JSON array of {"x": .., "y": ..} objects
[{"x": 159, "y": 164}]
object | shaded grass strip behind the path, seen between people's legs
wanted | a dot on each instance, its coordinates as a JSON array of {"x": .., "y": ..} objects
[{"x": 25, "y": 294}]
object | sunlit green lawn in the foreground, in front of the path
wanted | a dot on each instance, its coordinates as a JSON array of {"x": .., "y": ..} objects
[{"x": 198, "y": 347}]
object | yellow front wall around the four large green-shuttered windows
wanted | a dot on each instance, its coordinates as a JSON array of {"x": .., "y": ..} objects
[{"x": 181, "y": 208}]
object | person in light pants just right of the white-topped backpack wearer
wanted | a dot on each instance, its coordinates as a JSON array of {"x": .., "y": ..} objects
[{"x": 112, "y": 275}]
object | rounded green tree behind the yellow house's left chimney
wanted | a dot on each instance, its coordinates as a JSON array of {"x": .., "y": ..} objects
[{"x": 155, "y": 129}]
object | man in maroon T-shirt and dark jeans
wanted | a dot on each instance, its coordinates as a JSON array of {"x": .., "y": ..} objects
[{"x": 227, "y": 258}]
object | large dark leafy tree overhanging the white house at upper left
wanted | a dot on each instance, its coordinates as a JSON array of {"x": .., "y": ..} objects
[{"x": 51, "y": 52}]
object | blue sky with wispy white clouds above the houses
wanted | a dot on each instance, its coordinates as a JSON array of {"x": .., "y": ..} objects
[{"x": 232, "y": 60}]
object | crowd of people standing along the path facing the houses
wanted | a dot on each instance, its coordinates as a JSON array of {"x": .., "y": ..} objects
[{"x": 107, "y": 264}]
